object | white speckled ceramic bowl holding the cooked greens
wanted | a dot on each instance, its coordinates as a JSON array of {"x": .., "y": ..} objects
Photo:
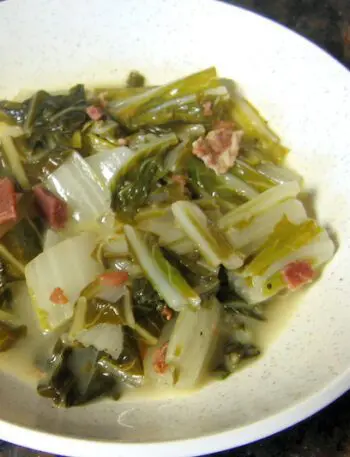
[{"x": 306, "y": 96}]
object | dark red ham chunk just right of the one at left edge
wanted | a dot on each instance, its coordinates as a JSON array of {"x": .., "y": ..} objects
[{"x": 54, "y": 210}]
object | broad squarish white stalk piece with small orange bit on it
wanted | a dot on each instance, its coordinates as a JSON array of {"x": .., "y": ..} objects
[{"x": 69, "y": 266}]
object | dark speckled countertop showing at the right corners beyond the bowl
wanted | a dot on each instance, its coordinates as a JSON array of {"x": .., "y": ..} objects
[{"x": 327, "y": 434}]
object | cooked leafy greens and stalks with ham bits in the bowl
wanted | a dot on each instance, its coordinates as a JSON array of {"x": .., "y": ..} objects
[{"x": 150, "y": 227}]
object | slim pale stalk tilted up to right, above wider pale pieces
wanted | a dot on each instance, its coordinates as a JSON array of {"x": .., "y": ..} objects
[{"x": 259, "y": 204}]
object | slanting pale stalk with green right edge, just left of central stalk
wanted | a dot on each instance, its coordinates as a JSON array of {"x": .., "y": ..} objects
[{"x": 164, "y": 277}]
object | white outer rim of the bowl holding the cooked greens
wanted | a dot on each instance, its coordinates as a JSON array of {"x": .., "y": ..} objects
[{"x": 209, "y": 443}]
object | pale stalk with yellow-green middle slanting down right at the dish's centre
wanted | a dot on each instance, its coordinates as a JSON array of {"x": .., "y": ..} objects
[{"x": 212, "y": 244}]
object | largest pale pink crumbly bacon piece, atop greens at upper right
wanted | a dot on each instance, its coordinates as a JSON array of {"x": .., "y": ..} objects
[{"x": 219, "y": 149}]
